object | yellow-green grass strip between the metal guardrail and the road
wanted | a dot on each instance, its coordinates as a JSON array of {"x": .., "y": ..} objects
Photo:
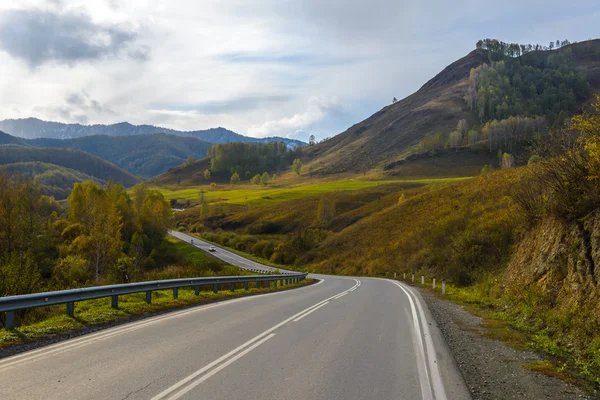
[{"x": 98, "y": 312}]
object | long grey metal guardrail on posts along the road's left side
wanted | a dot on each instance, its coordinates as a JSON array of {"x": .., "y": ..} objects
[{"x": 10, "y": 304}]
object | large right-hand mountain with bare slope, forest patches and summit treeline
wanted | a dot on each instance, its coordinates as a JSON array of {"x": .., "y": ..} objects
[{"x": 495, "y": 99}]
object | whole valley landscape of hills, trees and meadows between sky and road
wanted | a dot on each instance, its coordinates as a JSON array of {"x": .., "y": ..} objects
[{"x": 486, "y": 178}]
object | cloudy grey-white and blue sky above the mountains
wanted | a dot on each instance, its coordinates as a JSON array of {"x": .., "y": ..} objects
[{"x": 258, "y": 67}]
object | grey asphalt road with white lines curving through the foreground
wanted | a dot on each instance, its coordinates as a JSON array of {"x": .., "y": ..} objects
[{"x": 343, "y": 338}]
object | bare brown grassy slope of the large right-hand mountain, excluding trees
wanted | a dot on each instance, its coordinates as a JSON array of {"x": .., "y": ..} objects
[{"x": 396, "y": 131}]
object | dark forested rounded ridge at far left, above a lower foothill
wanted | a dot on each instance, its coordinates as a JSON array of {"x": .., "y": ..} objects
[{"x": 73, "y": 159}]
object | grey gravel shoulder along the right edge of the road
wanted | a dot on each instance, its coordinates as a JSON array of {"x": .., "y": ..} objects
[{"x": 491, "y": 369}]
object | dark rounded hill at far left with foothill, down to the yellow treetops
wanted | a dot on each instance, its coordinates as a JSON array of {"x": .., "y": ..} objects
[{"x": 67, "y": 165}]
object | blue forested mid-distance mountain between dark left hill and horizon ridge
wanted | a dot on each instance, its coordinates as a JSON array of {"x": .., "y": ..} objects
[{"x": 142, "y": 155}]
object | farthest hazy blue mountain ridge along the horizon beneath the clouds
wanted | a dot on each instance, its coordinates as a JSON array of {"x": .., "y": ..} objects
[{"x": 33, "y": 128}]
